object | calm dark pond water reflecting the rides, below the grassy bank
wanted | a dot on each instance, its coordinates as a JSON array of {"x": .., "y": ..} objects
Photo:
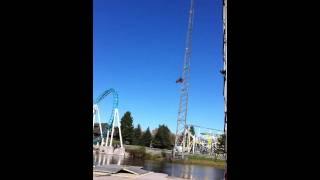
[{"x": 187, "y": 171}]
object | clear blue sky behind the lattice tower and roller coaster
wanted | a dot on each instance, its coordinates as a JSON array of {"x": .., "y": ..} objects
[{"x": 138, "y": 49}]
